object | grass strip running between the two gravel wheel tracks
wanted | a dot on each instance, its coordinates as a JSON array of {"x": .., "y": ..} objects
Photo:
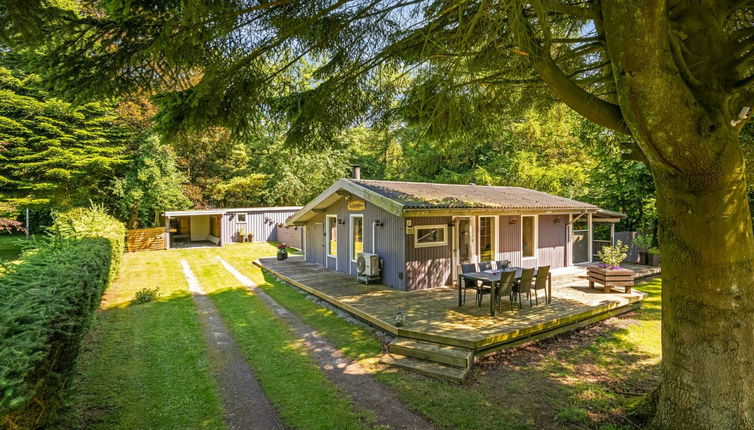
[{"x": 295, "y": 385}]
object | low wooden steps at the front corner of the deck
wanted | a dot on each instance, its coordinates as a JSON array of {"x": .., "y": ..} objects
[{"x": 428, "y": 358}]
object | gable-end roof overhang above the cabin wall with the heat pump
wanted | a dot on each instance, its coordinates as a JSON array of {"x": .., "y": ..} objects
[{"x": 342, "y": 189}]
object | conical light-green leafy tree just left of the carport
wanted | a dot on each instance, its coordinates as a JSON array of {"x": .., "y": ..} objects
[{"x": 153, "y": 184}]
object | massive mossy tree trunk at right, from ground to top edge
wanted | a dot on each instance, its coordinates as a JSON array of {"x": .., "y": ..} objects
[{"x": 706, "y": 242}]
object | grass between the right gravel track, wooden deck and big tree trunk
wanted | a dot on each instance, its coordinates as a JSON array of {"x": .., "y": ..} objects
[{"x": 564, "y": 383}]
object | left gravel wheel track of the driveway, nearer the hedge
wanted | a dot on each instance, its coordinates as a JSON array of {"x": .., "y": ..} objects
[{"x": 245, "y": 406}]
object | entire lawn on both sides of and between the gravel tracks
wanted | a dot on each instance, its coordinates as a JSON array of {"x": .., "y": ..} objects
[{"x": 143, "y": 364}]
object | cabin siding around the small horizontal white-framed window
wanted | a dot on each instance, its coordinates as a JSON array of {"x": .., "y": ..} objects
[{"x": 431, "y": 266}]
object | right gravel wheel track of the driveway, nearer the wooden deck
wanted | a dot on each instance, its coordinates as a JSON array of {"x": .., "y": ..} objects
[{"x": 346, "y": 374}]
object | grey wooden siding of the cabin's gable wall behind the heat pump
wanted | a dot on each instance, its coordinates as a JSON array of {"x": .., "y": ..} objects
[{"x": 388, "y": 243}]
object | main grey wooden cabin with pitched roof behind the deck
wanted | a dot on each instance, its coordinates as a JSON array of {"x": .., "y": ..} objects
[{"x": 421, "y": 232}]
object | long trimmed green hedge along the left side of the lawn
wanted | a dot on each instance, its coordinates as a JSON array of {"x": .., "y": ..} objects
[{"x": 47, "y": 304}]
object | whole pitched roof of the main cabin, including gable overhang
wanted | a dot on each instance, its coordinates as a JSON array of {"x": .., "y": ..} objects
[{"x": 420, "y": 198}]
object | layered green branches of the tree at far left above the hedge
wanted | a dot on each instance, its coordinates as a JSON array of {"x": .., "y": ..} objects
[{"x": 53, "y": 152}]
